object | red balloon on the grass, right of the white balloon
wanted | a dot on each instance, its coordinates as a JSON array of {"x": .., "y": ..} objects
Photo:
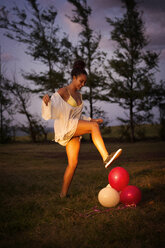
[{"x": 130, "y": 195}]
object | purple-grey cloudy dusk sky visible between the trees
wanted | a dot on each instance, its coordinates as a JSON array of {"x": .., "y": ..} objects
[{"x": 15, "y": 59}]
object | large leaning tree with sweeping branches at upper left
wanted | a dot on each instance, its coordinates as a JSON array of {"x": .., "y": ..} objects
[{"x": 36, "y": 28}]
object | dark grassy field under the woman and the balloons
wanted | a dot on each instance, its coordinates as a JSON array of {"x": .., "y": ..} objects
[{"x": 33, "y": 215}]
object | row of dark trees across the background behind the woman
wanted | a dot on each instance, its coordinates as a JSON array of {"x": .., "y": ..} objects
[{"x": 127, "y": 78}]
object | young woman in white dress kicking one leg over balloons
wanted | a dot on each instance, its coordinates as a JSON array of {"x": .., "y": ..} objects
[{"x": 65, "y": 107}]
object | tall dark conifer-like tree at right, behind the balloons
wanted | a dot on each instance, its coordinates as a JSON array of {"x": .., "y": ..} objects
[{"x": 131, "y": 69}]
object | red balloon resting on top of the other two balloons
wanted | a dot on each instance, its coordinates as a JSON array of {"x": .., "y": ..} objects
[{"x": 118, "y": 178}]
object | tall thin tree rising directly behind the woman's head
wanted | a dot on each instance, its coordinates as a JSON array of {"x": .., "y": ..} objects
[{"x": 88, "y": 50}]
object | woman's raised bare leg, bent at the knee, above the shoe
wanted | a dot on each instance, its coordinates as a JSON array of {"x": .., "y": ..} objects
[{"x": 93, "y": 128}]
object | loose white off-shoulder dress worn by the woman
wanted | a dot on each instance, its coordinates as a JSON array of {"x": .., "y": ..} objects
[{"x": 66, "y": 117}]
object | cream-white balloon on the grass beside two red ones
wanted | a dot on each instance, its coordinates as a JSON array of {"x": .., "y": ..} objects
[{"x": 108, "y": 197}]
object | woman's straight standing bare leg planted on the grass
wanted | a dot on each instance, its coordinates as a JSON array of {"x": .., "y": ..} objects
[{"x": 72, "y": 150}]
